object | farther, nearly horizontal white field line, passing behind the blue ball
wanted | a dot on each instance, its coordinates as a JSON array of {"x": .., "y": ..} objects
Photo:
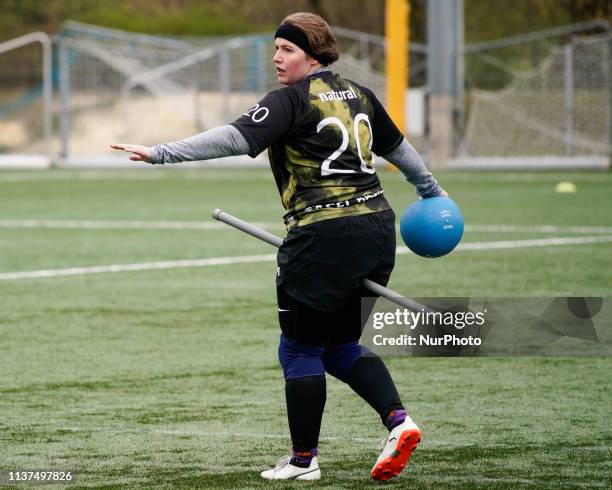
[{"x": 215, "y": 225}]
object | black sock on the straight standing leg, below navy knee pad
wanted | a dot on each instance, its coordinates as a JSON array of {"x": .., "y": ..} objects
[{"x": 305, "y": 403}]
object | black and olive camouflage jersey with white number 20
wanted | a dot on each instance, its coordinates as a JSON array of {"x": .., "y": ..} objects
[{"x": 320, "y": 134}]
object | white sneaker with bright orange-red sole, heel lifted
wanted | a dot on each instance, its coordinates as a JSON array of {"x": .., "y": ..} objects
[{"x": 396, "y": 450}]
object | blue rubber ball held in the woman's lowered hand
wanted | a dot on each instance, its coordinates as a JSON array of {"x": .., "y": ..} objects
[{"x": 432, "y": 227}]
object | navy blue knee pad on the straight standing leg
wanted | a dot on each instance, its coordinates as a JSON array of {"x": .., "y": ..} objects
[{"x": 298, "y": 360}]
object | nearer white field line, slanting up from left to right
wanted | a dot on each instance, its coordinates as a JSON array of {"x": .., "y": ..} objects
[{"x": 172, "y": 264}]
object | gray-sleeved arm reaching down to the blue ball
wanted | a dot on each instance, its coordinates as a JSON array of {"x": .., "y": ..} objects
[{"x": 410, "y": 163}]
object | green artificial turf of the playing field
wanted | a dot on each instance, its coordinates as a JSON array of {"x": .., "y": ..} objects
[{"x": 169, "y": 378}]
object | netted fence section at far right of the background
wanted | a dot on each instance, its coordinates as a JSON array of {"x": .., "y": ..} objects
[{"x": 559, "y": 108}]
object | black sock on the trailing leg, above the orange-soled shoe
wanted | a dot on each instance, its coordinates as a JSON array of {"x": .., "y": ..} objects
[{"x": 370, "y": 379}]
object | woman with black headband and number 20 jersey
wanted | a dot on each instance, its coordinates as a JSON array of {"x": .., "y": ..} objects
[{"x": 320, "y": 131}]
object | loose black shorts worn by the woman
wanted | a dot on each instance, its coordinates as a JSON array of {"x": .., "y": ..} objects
[{"x": 320, "y": 272}]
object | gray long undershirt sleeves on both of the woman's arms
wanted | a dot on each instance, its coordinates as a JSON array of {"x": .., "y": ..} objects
[{"x": 226, "y": 141}]
